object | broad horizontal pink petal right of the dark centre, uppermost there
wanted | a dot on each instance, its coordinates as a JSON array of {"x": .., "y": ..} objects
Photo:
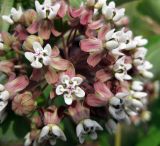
[{"x": 91, "y": 45}]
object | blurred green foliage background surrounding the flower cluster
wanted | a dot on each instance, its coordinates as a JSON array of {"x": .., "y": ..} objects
[{"x": 144, "y": 18}]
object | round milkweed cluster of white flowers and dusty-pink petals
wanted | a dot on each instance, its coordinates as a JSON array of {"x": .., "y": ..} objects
[{"x": 87, "y": 60}]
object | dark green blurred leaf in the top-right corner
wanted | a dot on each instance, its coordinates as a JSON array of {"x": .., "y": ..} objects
[{"x": 150, "y": 8}]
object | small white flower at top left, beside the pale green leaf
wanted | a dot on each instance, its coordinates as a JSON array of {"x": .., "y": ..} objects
[{"x": 14, "y": 16}]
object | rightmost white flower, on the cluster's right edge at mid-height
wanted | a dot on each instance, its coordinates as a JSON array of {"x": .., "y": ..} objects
[{"x": 144, "y": 69}]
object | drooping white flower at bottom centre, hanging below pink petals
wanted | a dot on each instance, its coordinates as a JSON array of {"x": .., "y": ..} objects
[{"x": 87, "y": 127}]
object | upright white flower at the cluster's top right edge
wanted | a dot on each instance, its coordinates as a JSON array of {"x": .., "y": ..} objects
[{"x": 111, "y": 12}]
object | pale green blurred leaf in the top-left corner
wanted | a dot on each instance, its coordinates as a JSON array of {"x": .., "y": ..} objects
[{"x": 6, "y": 6}]
